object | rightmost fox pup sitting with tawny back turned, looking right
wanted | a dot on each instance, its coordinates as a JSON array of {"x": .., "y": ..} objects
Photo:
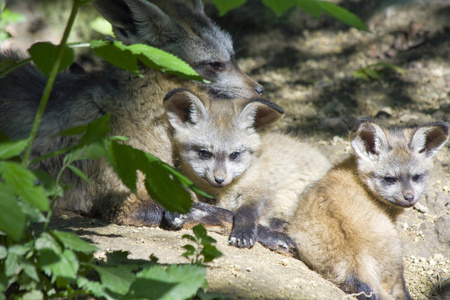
[{"x": 344, "y": 226}]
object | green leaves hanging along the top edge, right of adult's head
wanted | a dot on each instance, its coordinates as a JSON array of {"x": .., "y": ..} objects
[{"x": 312, "y": 7}]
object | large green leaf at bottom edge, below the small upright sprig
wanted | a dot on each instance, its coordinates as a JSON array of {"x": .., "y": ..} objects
[{"x": 173, "y": 282}]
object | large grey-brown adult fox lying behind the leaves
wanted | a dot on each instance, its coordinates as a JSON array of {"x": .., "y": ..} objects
[{"x": 135, "y": 103}]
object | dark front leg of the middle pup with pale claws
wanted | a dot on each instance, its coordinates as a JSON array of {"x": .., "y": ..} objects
[{"x": 245, "y": 224}]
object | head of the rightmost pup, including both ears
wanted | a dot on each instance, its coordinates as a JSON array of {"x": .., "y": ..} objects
[{"x": 395, "y": 164}]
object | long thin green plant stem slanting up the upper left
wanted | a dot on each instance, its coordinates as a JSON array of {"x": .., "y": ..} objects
[{"x": 50, "y": 82}]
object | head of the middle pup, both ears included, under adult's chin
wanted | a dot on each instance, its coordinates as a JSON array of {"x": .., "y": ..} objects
[{"x": 218, "y": 140}]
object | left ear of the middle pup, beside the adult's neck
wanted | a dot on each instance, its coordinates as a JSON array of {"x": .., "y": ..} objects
[{"x": 184, "y": 107}]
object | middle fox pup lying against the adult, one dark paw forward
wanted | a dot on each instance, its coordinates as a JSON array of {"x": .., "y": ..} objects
[{"x": 223, "y": 147}]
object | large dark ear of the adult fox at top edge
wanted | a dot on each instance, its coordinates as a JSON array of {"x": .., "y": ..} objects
[{"x": 136, "y": 20}]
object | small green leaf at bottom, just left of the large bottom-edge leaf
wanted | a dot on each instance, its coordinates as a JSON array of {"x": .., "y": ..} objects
[{"x": 117, "y": 279}]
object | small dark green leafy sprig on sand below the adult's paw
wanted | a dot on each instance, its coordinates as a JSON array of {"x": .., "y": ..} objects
[{"x": 204, "y": 251}]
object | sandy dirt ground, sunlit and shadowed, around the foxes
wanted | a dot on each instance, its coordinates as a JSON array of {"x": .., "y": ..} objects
[{"x": 305, "y": 66}]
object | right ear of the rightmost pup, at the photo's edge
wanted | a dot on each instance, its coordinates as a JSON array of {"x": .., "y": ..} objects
[{"x": 429, "y": 138}]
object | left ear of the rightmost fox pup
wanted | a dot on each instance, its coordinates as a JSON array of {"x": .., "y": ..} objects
[{"x": 368, "y": 139}]
